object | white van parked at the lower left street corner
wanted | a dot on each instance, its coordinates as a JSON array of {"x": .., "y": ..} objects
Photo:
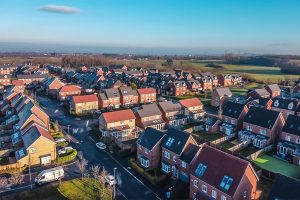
[{"x": 49, "y": 175}]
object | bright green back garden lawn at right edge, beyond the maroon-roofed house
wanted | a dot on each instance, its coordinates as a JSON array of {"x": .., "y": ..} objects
[{"x": 277, "y": 166}]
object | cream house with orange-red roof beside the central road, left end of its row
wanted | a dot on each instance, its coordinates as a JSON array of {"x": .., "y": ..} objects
[{"x": 119, "y": 126}]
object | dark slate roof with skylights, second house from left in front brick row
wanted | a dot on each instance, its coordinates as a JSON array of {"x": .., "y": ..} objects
[{"x": 180, "y": 139}]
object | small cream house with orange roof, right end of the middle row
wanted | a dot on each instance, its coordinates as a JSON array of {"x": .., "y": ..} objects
[{"x": 193, "y": 108}]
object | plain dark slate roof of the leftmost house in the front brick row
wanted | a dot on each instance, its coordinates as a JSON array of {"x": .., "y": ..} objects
[{"x": 150, "y": 138}]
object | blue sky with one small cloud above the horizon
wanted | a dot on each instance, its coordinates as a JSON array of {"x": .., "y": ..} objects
[{"x": 186, "y": 26}]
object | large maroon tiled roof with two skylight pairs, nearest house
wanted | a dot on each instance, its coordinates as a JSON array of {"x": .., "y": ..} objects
[{"x": 220, "y": 164}]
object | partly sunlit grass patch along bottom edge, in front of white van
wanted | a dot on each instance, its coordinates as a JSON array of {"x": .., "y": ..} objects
[{"x": 73, "y": 189}]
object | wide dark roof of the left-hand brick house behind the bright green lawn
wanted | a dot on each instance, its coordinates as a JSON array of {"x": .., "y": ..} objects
[{"x": 261, "y": 117}]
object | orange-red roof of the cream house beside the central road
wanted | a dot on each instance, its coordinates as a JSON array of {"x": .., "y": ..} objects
[{"x": 117, "y": 116}]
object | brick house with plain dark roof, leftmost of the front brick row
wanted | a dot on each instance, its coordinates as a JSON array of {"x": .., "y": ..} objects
[{"x": 149, "y": 148}]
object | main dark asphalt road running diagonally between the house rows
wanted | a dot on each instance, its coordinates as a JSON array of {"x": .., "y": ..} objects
[{"x": 129, "y": 186}]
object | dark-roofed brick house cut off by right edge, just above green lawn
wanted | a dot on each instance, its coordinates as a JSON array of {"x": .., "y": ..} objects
[{"x": 289, "y": 145}]
